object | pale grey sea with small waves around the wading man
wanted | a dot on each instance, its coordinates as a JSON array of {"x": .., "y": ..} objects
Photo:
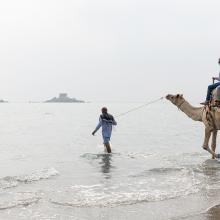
[{"x": 51, "y": 167}]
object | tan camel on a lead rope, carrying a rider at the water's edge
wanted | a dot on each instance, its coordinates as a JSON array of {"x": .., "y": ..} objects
[{"x": 210, "y": 116}]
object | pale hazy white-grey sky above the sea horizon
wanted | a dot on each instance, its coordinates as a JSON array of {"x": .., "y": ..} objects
[{"x": 99, "y": 50}]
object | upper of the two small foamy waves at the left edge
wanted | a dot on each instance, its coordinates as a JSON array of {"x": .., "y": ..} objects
[{"x": 13, "y": 181}]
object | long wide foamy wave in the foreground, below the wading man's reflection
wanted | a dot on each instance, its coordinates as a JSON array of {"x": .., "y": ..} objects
[{"x": 126, "y": 193}]
